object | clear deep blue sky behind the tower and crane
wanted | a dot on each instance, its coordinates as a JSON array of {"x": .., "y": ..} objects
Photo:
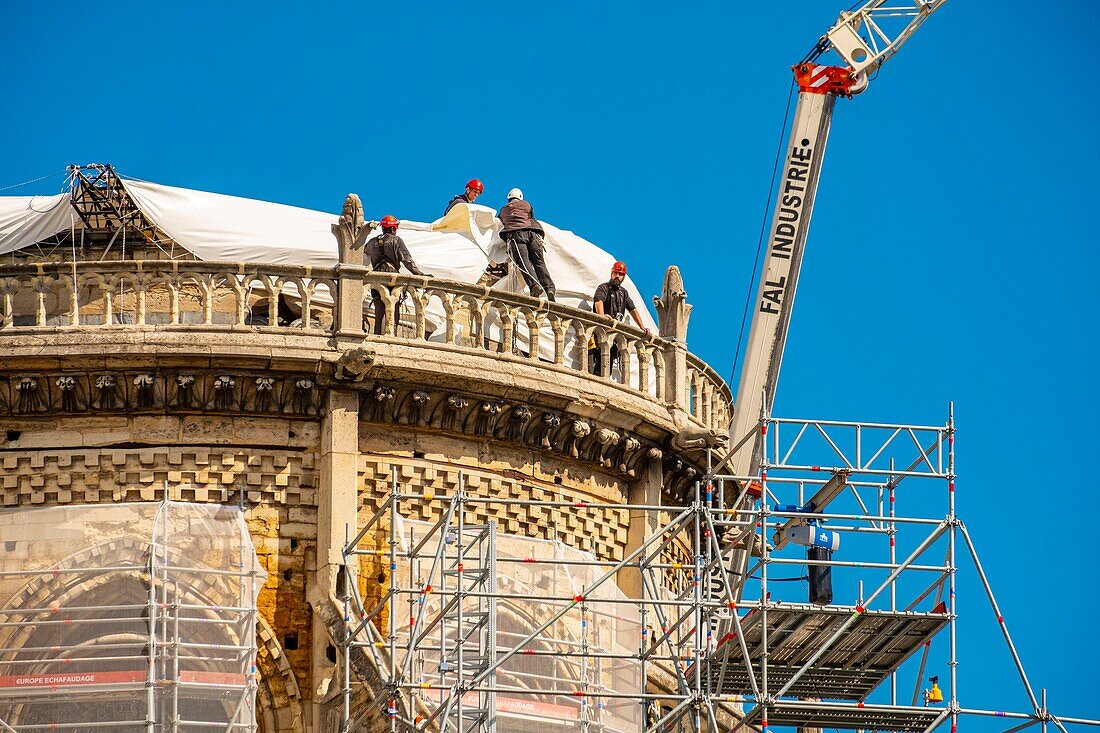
[{"x": 951, "y": 256}]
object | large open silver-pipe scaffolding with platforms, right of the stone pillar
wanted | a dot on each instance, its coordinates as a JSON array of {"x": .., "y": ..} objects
[{"x": 720, "y": 632}]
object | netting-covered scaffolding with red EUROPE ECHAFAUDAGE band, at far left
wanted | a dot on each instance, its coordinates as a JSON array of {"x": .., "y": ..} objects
[{"x": 136, "y": 617}]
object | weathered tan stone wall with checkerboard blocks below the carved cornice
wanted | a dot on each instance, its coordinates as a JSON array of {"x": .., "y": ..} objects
[{"x": 74, "y": 460}]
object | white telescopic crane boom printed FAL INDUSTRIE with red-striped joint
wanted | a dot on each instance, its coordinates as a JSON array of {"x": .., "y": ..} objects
[{"x": 864, "y": 39}]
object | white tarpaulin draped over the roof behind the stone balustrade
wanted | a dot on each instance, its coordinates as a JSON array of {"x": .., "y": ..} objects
[{"x": 229, "y": 228}]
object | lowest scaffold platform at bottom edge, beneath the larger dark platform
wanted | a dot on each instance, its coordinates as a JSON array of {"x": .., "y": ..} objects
[{"x": 901, "y": 719}]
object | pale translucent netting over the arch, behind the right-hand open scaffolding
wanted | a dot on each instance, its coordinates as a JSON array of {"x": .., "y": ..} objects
[{"x": 476, "y": 604}]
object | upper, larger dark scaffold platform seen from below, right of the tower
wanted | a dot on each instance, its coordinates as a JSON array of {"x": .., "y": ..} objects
[{"x": 873, "y": 646}]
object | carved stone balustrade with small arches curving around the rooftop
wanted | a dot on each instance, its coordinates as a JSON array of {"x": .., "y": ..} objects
[{"x": 192, "y": 296}]
